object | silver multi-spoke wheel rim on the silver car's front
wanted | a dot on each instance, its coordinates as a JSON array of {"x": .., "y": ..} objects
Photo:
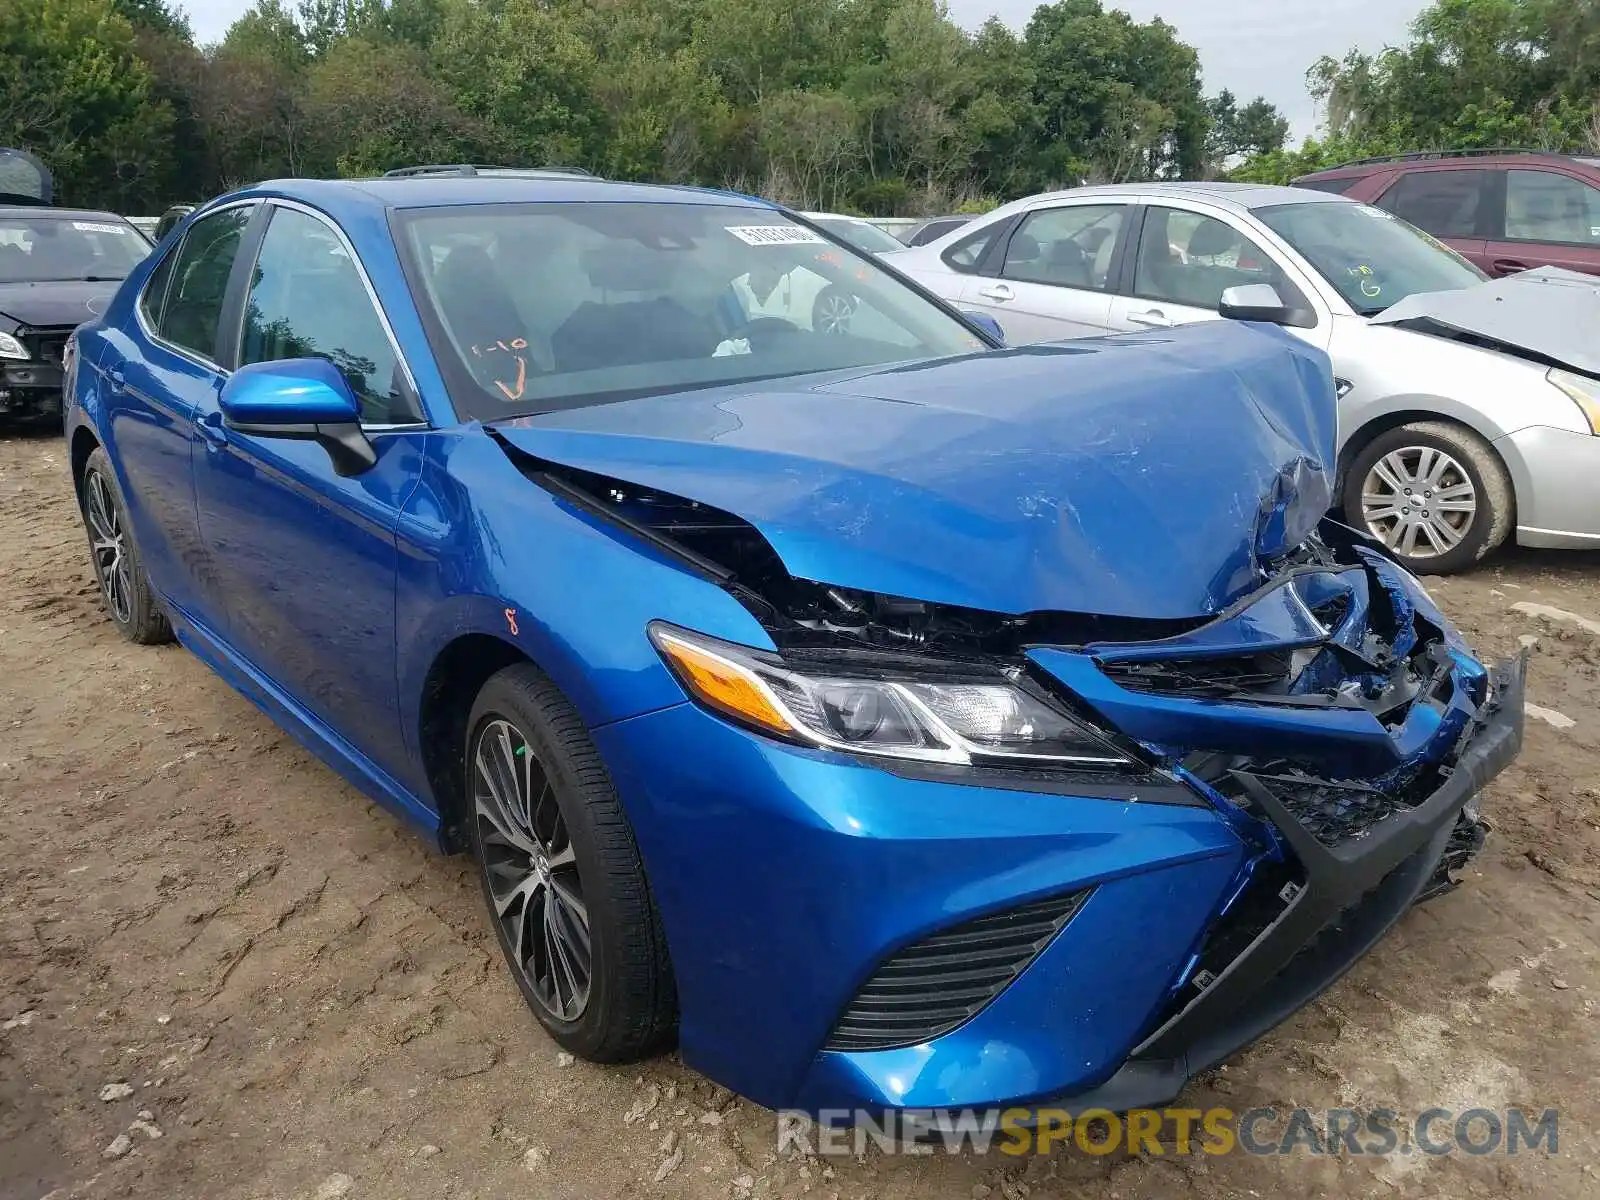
[{"x": 1418, "y": 502}]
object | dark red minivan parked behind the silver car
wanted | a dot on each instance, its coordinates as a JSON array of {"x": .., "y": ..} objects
[{"x": 1506, "y": 210}]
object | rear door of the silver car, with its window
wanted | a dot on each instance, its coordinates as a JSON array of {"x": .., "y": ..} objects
[{"x": 1057, "y": 273}]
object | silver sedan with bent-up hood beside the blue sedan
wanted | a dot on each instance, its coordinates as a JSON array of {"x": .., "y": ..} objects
[{"x": 1465, "y": 418}]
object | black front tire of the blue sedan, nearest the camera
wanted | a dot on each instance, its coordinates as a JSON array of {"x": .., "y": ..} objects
[{"x": 631, "y": 1006}]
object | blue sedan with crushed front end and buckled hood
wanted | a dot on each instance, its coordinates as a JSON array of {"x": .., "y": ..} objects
[{"x": 892, "y": 718}]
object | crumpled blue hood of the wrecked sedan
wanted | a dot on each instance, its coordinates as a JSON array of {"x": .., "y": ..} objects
[{"x": 1143, "y": 476}]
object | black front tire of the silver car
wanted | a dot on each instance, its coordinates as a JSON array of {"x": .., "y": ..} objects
[{"x": 1471, "y": 460}]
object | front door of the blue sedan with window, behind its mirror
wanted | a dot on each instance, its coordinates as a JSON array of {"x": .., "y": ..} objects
[{"x": 308, "y": 558}]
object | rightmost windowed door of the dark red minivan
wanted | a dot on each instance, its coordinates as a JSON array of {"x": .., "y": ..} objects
[{"x": 1551, "y": 218}]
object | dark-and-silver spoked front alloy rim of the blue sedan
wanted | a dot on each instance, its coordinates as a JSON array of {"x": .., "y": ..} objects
[{"x": 532, "y": 870}]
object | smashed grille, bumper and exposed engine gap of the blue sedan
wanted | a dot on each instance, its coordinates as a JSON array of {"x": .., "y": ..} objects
[{"x": 1332, "y": 718}]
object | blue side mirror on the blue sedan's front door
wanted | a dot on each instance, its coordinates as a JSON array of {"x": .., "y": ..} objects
[{"x": 303, "y": 399}]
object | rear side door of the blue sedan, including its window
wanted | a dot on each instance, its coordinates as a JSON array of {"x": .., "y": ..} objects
[{"x": 159, "y": 374}]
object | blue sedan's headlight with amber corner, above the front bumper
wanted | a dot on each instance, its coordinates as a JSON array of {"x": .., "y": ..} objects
[{"x": 934, "y": 716}]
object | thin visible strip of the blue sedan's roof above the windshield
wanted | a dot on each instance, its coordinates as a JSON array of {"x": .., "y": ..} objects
[{"x": 439, "y": 191}]
